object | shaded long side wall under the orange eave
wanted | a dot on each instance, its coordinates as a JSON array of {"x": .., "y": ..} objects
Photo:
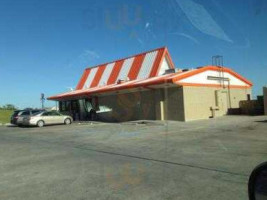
[{"x": 144, "y": 105}]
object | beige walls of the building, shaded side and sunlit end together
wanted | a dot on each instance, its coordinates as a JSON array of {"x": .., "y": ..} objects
[{"x": 177, "y": 103}]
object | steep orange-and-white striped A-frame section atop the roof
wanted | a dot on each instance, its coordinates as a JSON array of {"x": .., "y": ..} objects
[{"x": 138, "y": 67}]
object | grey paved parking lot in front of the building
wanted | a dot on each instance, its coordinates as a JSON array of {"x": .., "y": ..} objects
[{"x": 208, "y": 159}]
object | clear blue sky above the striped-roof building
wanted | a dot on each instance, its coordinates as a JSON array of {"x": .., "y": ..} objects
[{"x": 45, "y": 45}]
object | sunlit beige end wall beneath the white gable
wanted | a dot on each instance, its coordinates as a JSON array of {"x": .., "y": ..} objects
[{"x": 207, "y": 102}]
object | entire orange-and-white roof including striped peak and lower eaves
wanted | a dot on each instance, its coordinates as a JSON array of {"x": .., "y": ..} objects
[{"x": 146, "y": 71}]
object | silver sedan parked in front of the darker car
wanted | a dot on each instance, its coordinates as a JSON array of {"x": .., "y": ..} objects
[{"x": 46, "y": 118}]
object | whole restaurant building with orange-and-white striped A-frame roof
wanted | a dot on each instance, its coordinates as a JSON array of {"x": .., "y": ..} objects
[{"x": 147, "y": 86}]
